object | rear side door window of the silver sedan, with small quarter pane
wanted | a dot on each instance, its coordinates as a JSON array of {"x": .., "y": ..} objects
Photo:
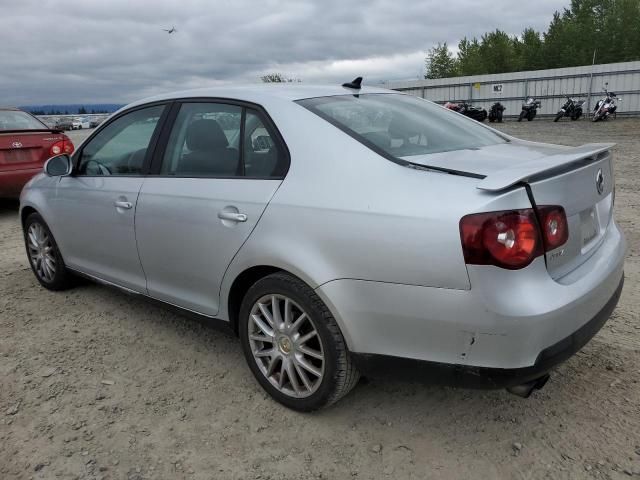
[{"x": 219, "y": 140}]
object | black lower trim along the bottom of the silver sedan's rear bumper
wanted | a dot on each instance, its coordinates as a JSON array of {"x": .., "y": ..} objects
[{"x": 479, "y": 377}]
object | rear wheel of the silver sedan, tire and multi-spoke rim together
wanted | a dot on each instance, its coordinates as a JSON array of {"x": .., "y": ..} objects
[{"x": 293, "y": 344}]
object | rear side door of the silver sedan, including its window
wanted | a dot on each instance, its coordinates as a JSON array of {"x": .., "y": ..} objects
[{"x": 222, "y": 164}]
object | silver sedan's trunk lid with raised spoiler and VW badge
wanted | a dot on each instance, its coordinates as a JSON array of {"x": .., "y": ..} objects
[{"x": 579, "y": 179}]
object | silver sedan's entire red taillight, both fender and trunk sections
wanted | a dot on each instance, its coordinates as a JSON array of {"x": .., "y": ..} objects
[{"x": 512, "y": 239}]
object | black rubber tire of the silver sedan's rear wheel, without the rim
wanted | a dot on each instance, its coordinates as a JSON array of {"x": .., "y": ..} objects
[{"x": 340, "y": 374}]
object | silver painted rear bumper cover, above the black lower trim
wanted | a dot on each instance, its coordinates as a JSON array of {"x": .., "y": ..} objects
[{"x": 505, "y": 321}]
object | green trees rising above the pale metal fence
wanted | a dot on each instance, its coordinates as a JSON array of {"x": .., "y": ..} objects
[{"x": 611, "y": 28}]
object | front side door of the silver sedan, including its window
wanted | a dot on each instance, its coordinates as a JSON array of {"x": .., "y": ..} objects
[{"x": 95, "y": 208}]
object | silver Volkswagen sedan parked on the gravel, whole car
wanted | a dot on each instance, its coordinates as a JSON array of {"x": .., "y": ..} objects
[{"x": 340, "y": 231}]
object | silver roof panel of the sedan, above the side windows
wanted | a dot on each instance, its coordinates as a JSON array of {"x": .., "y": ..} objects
[{"x": 260, "y": 92}]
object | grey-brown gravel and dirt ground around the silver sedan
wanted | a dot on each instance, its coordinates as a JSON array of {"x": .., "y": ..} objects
[{"x": 96, "y": 384}]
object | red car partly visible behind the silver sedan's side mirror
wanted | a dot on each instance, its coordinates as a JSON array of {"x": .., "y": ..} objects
[{"x": 25, "y": 144}]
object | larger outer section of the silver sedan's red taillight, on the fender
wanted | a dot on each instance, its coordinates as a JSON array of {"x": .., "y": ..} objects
[{"x": 508, "y": 239}]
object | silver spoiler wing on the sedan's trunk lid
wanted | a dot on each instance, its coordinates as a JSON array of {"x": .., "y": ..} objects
[{"x": 555, "y": 164}]
